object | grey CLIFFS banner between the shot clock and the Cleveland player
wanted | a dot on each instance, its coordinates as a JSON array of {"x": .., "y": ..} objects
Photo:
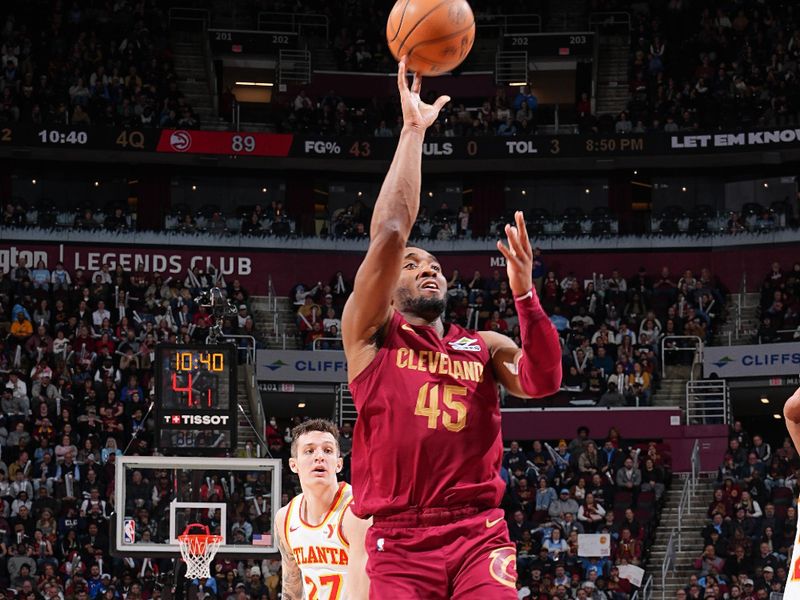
[{"x": 301, "y": 365}]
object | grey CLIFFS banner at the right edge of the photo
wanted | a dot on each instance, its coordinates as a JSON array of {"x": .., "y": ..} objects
[{"x": 751, "y": 361}]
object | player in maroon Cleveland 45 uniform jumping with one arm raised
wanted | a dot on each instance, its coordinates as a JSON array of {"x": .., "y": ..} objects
[{"x": 427, "y": 446}]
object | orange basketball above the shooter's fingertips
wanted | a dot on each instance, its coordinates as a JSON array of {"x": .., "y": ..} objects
[{"x": 435, "y": 35}]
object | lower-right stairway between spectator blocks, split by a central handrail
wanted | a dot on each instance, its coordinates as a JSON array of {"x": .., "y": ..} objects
[{"x": 692, "y": 543}]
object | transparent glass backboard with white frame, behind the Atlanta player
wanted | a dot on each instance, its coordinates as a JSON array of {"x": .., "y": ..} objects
[{"x": 158, "y": 496}]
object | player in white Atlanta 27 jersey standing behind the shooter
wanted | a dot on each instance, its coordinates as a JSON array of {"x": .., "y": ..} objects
[{"x": 321, "y": 541}]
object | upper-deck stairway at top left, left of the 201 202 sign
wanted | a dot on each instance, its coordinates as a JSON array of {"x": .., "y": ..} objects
[{"x": 190, "y": 67}]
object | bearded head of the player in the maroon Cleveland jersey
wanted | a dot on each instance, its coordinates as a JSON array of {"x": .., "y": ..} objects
[{"x": 422, "y": 287}]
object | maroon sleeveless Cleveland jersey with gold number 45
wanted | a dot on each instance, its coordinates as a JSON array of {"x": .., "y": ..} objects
[{"x": 428, "y": 429}]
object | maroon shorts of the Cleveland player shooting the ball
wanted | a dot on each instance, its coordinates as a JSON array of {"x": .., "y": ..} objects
[{"x": 439, "y": 554}]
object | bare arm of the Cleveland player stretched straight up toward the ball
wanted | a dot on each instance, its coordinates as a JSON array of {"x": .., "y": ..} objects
[{"x": 368, "y": 308}]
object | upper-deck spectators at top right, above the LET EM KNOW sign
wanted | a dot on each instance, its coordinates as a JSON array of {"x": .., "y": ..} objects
[{"x": 710, "y": 64}]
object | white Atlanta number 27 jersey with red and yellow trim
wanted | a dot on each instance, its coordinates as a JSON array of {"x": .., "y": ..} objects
[{"x": 321, "y": 551}]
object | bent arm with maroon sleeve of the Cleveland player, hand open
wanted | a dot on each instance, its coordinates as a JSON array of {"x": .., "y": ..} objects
[{"x": 533, "y": 371}]
